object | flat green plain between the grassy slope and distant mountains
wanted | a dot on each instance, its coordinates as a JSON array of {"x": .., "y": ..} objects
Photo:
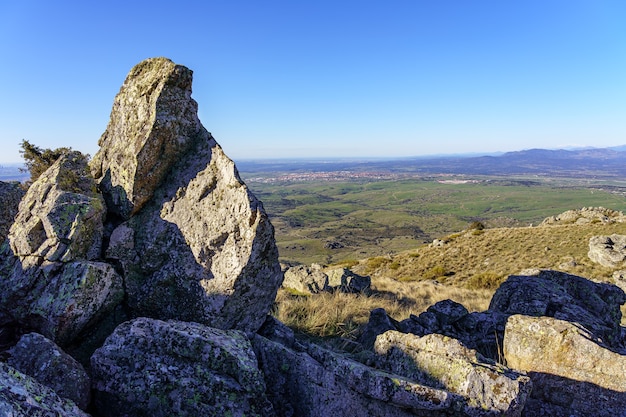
[{"x": 330, "y": 221}]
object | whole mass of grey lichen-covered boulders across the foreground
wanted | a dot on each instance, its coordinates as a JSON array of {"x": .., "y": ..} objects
[{"x": 139, "y": 284}]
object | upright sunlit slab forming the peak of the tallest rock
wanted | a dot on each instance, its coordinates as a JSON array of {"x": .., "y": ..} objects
[{"x": 153, "y": 123}]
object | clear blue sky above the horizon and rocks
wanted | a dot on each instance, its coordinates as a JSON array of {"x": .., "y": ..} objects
[{"x": 326, "y": 78}]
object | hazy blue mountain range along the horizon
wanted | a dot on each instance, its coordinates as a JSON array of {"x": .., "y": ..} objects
[{"x": 579, "y": 162}]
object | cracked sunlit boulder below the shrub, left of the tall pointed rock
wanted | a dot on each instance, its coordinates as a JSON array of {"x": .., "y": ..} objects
[{"x": 61, "y": 216}]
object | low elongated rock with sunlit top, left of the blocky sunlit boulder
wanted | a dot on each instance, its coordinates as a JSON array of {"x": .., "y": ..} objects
[{"x": 485, "y": 389}]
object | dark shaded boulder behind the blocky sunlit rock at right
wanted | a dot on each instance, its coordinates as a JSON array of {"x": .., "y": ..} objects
[{"x": 596, "y": 306}]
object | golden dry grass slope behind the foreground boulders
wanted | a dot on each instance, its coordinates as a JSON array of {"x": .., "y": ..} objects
[{"x": 467, "y": 269}]
